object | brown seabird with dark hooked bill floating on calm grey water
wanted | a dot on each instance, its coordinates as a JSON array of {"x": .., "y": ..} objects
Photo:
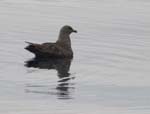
[{"x": 59, "y": 49}]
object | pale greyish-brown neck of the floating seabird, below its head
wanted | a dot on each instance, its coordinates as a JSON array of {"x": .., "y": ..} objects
[{"x": 64, "y": 41}]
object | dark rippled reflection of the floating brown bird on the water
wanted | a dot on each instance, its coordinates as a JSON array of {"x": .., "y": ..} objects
[{"x": 62, "y": 67}]
